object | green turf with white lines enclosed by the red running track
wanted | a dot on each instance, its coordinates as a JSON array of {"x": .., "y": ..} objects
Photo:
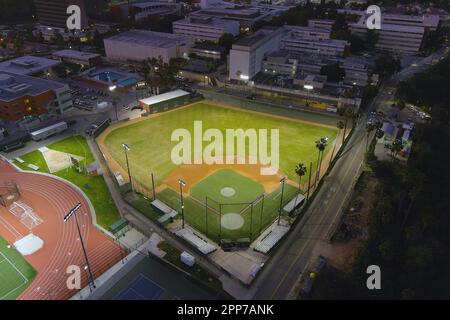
[{"x": 16, "y": 274}]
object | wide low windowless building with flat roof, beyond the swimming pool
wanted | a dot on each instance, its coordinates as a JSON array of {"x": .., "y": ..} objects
[{"x": 138, "y": 45}]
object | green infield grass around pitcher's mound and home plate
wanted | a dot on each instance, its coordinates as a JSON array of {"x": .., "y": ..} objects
[{"x": 256, "y": 218}]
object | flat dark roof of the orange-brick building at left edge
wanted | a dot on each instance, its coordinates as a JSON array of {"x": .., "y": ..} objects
[{"x": 13, "y": 86}]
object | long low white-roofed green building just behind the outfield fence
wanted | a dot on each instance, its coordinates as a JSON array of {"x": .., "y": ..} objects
[{"x": 165, "y": 101}]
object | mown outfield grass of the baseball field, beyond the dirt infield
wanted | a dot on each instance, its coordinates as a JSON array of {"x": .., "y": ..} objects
[{"x": 151, "y": 145}]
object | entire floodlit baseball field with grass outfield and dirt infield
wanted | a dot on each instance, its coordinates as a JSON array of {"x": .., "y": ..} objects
[{"x": 241, "y": 201}]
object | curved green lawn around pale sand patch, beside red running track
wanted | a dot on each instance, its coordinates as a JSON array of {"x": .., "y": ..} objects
[{"x": 94, "y": 187}]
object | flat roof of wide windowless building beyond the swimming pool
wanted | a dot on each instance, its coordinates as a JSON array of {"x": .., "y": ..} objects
[{"x": 150, "y": 38}]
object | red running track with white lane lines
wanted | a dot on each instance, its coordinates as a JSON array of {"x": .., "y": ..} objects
[{"x": 51, "y": 199}]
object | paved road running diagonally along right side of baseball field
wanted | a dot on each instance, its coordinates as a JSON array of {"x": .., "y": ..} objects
[{"x": 295, "y": 254}]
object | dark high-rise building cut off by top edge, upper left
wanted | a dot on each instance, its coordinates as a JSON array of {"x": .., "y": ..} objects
[{"x": 53, "y": 13}]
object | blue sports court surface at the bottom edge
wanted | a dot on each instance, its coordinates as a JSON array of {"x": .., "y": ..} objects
[{"x": 142, "y": 288}]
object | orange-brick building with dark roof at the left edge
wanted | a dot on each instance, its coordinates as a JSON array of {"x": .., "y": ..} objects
[{"x": 22, "y": 95}]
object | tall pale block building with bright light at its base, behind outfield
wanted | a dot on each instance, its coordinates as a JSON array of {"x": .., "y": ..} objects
[{"x": 247, "y": 54}]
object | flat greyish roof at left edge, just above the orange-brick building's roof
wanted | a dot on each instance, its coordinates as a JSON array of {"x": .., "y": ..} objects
[{"x": 27, "y": 65}]
